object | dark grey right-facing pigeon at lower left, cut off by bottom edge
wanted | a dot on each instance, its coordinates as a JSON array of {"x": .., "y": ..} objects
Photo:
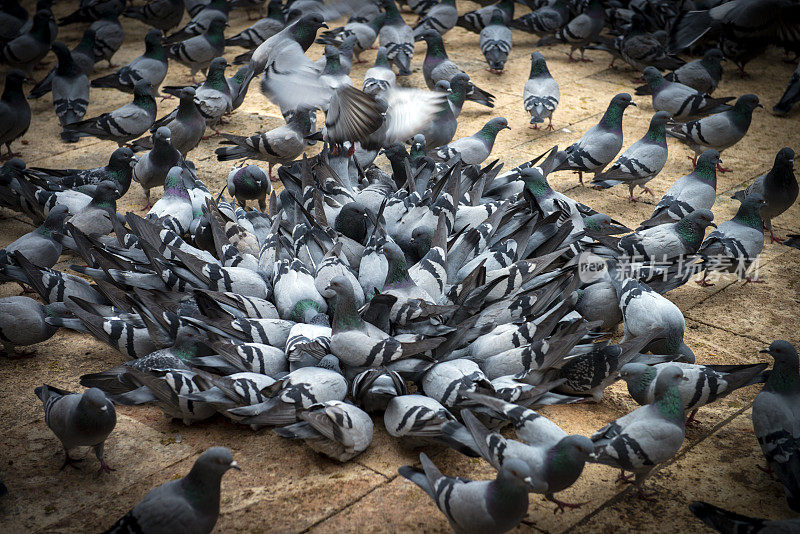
[{"x": 188, "y": 504}]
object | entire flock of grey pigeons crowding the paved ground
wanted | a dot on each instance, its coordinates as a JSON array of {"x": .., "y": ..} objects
[{"x": 394, "y": 274}]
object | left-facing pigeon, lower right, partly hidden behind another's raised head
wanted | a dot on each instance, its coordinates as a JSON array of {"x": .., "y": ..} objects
[{"x": 705, "y": 384}]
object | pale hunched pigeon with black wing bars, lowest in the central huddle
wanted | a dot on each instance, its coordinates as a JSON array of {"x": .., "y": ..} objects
[{"x": 335, "y": 429}]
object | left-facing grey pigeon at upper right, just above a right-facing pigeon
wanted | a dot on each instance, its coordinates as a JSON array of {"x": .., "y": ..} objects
[{"x": 681, "y": 101}]
